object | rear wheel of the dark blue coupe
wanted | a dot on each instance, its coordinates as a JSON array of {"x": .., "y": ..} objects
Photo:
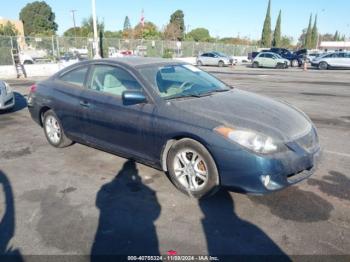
[{"x": 53, "y": 130}]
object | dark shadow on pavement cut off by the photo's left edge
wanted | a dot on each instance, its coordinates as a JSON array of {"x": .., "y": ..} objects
[{"x": 7, "y": 223}]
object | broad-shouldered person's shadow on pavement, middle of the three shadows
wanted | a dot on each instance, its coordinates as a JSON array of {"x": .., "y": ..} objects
[{"x": 128, "y": 210}]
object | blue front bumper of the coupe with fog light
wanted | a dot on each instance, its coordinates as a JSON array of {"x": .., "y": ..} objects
[{"x": 244, "y": 171}]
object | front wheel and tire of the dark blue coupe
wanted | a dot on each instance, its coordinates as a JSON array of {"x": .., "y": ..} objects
[{"x": 192, "y": 169}]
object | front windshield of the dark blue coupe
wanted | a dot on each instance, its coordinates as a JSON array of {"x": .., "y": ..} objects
[{"x": 176, "y": 81}]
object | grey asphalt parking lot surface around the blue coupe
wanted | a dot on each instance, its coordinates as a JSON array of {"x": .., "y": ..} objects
[{"x": 79, "y": 200}]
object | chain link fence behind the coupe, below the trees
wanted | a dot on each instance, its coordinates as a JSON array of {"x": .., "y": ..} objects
[{"x": 53, "y": 49}]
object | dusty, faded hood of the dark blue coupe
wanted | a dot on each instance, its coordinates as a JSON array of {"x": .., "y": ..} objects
[{"x": 245, "y": 110}]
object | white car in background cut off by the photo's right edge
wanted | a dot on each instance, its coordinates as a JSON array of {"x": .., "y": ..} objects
[{"x": 332, "y": 60}]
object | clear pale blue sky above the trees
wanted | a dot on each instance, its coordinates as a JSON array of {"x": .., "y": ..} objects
[{"x": 223, "y": 18}]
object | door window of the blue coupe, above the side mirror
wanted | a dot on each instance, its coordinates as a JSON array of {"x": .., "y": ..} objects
[{"x": 112, "y": 80}]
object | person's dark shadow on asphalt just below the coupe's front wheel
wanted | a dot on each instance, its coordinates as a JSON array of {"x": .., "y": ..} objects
[{"x": 227, "y": 234}]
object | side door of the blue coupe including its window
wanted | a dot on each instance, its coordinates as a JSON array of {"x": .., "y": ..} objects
[{"x": 109, "y": 123}]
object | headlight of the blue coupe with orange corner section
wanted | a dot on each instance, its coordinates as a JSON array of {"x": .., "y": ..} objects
[{"x": 254, "y": 141}]
